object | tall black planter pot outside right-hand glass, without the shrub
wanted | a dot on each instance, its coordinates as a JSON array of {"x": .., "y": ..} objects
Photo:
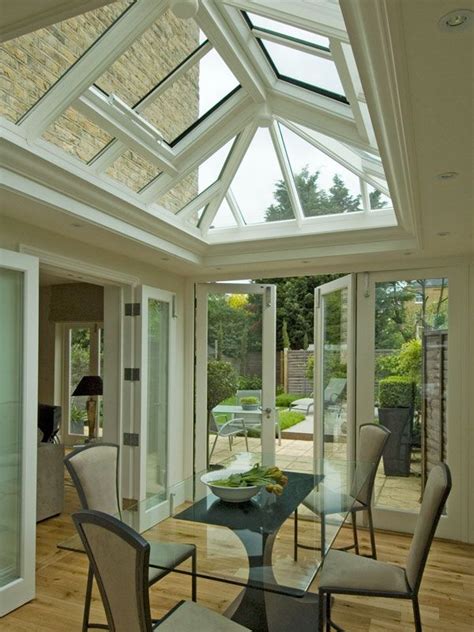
[{"x": 397, "y": 453}]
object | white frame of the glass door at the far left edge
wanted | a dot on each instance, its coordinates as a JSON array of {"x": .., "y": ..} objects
[{"x": 22, "y": 590}]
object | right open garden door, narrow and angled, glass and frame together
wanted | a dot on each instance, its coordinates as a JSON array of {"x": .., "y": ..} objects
[{"x": 334, "y": 374}]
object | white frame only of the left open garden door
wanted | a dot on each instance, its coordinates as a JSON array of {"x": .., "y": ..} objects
[{"x": 268, "y": 293}]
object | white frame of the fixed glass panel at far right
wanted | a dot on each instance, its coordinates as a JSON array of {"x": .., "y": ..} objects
[{"x": 455, "y": 524}]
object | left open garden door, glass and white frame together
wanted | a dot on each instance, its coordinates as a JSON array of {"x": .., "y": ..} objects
[{"x": 235, "y": 378}]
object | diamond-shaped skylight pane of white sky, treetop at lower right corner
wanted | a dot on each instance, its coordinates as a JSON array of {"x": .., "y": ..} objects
[{"x": 258, "y": 185}]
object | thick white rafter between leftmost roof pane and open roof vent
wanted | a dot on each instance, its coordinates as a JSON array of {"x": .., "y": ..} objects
[{"x": 91, "y": 65}]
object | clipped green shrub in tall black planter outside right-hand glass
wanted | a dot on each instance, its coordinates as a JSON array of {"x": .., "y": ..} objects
[{"x": 396, "y": 400}]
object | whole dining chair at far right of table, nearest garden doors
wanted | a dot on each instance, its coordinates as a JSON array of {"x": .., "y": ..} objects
[{"x": 371, "y": 444}]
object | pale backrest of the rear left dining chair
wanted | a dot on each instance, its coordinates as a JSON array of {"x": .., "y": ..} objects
[{"x": 94, "y": 472}]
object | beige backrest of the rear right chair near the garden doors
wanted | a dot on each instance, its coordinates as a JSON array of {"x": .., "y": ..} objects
[{"x": 372, "y": 441}]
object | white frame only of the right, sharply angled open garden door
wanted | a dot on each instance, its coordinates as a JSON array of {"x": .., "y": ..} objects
[{"x": 348, "y": 282}]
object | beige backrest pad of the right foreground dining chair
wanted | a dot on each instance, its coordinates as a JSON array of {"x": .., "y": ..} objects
[{"x": 435, "y": 495}]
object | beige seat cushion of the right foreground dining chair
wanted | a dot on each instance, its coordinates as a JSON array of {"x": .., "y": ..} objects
[{"x": 353, "y": 573}]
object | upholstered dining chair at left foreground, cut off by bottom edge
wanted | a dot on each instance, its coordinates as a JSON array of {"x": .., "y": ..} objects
[{"x": 120, "y": 559}]
